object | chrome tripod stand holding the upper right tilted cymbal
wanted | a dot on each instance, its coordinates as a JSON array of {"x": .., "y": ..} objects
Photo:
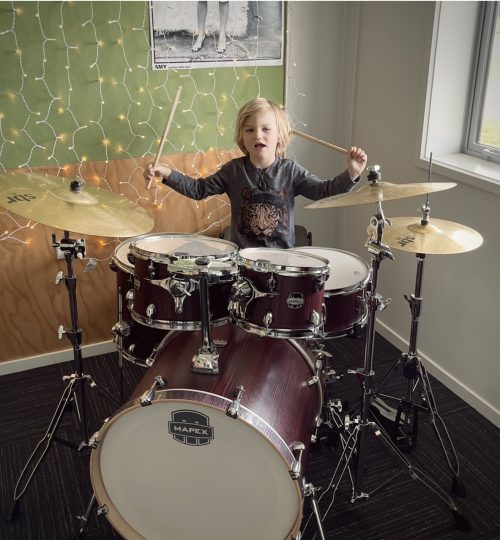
[{"x": 356, "y": 429}]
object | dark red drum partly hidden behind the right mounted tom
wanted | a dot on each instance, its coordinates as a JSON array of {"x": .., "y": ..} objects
[{"x": 345, "y": 291}]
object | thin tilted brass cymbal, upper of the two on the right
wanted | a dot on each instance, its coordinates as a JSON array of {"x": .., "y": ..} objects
[{"x": 374, "y": 192}]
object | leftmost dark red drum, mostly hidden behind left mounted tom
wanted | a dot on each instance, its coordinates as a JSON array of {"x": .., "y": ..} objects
[{"x": 137, "y": 342}]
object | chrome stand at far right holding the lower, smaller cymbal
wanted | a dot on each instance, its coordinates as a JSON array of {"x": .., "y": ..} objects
[{"x": 405, "y": 427}]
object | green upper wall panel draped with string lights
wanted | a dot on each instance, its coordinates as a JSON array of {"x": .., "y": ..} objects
[{"x": 76, "y": 84}]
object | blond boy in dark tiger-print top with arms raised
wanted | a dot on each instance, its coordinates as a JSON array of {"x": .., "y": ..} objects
[{"x": 262, "y": 185}]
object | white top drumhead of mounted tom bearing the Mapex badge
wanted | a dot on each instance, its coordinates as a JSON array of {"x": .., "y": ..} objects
[{"x": 282, "y": 258}]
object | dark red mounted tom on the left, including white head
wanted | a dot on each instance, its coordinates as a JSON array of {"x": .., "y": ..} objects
[{"x": 167, "y": 279}]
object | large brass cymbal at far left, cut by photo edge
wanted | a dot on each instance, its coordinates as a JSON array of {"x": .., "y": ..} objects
[{"x": 69, "y": 205}]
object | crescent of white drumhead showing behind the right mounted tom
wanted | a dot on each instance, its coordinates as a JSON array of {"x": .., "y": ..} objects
[{"x": 346, "y": 269}]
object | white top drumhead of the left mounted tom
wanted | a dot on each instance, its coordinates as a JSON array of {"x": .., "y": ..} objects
[{"x": 188, "y": 246}]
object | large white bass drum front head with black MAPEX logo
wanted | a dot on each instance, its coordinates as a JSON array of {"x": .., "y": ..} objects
[{"x": 236, "y": 486}]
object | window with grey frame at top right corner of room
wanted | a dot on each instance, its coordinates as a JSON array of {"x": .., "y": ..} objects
[{"x": 483, "y": 129}]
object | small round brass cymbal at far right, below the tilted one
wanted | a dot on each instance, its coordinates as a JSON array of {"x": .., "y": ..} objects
[{"x": 437, "y": 237}]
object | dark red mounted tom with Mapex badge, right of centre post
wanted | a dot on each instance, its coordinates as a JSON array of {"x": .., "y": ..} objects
[{"x": 279, "y": 292}]
